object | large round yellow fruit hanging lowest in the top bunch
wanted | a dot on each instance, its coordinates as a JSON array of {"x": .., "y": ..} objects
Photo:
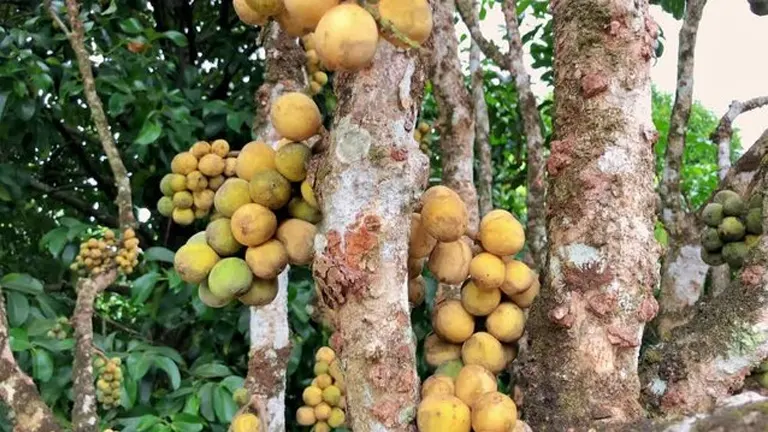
[{"x": 346, "y": 38}]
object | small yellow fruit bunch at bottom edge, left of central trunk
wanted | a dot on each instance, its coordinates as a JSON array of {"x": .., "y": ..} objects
[{"x": 324, "y": 398}]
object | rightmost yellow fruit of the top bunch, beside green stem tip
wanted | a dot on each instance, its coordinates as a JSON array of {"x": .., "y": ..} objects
[{"x": 413, "y": 18}]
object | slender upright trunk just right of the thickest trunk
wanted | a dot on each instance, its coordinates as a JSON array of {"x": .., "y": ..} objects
[{"x": 683, "y": 272}]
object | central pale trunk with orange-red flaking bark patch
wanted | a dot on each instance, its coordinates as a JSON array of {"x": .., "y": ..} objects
[{"x": 368, "y": 183}]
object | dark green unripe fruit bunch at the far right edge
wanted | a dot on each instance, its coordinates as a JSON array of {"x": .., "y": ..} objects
[{"x": 734, "y": 226}]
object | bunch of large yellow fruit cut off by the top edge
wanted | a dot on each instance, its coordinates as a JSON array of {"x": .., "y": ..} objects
[{"x": 338, "y": 26}]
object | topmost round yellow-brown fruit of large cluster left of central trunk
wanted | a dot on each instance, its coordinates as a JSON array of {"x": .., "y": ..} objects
[{"x": 295, "y": 116}]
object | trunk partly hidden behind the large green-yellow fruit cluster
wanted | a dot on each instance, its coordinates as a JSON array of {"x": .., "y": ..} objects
[{"x": 269, "y": 329}]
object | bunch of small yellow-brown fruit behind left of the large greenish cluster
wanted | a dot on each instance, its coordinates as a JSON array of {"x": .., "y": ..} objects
[{"x": 195, "y": 176}]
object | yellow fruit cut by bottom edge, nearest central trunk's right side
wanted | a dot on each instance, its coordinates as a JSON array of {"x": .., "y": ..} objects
[{"x": 442, "y": 413}]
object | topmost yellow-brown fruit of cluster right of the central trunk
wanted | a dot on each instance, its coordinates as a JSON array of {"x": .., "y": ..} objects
[{"x": 443, "y": 214}]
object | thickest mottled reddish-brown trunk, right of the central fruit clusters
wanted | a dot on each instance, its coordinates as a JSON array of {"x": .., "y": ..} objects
[{"x": 598, "y": 294}]
